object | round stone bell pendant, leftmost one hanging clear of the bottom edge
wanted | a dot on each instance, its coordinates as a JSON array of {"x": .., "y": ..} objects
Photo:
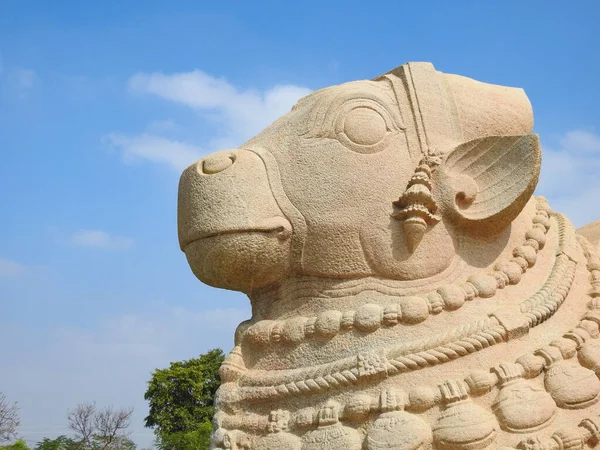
[{"x": 521, "y": 406}]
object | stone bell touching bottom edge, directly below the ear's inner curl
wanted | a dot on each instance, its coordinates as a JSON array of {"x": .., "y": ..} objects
[{"x": 462, "y": 425}]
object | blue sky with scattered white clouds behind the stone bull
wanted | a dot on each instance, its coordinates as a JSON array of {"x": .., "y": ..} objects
[{"x": 103, "y": 103}]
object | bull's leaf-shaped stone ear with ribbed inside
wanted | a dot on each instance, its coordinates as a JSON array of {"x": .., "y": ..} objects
[{"x": 485, "y": 183}]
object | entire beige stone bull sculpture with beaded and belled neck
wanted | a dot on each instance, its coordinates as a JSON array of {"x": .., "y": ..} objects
[{"x": 408, "y": 290}]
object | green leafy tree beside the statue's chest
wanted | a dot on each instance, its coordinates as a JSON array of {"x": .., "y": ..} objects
[{"x": 181, "y": 400}]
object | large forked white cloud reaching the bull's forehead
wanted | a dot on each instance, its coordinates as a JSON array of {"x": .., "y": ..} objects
[{"x": 240, "y": 113}]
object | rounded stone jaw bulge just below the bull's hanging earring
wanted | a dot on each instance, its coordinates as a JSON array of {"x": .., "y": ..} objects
[{"x": 388, "y": 256}]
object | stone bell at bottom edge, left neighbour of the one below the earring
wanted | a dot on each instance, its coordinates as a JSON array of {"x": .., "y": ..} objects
[{"x": 330, "y": 433}]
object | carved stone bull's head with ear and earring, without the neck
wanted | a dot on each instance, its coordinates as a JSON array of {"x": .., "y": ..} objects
[{"x": 389, "y": 178}]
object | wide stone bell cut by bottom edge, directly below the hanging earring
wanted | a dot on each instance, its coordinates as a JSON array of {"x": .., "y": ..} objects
[{"x": 396, "y": 429}]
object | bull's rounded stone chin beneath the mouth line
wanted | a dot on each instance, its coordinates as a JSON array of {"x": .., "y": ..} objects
[{"x": 240, "y": 261}]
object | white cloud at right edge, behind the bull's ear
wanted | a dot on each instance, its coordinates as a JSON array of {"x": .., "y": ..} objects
[{"x": 570, "y": 177}]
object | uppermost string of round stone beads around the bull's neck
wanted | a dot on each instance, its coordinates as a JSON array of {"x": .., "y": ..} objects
[{"x": 413, "y": 309}]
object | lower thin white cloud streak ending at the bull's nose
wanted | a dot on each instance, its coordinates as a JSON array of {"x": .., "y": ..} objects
[{"x": 156, "y": 149}]
